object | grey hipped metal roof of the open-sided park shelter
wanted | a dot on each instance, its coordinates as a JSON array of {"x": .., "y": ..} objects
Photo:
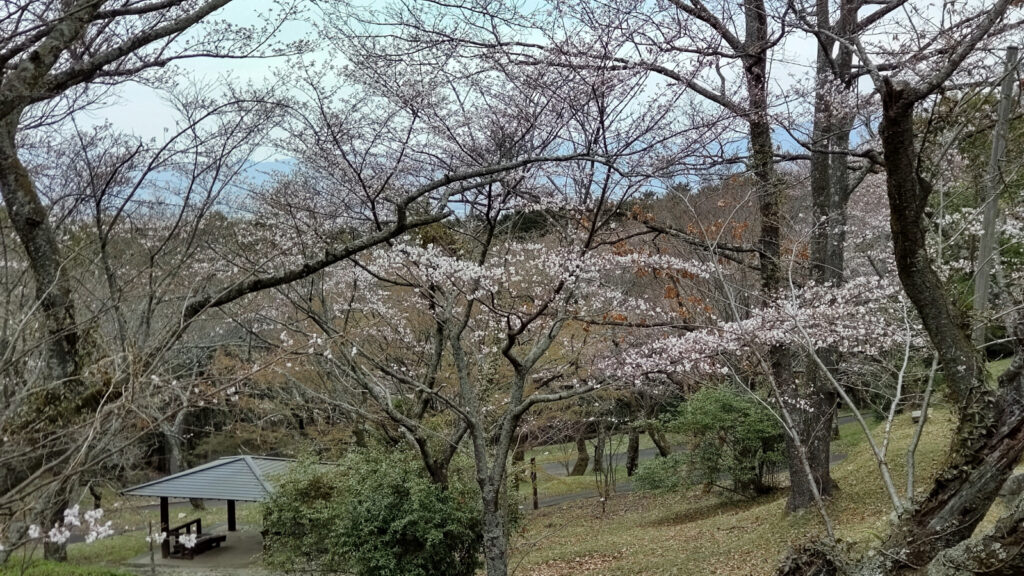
[{"x": 231, "y": 478}]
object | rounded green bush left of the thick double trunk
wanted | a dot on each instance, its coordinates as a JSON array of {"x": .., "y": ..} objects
[{"x": 733, "y": 435}]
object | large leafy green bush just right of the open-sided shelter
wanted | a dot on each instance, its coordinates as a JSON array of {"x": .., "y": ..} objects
[{"x": 375, "y": 515}]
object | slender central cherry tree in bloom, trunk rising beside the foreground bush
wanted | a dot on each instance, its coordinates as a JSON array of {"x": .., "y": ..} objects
[{"x": 454, "y": 334}]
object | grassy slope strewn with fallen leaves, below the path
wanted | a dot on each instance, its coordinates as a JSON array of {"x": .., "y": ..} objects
[{"x": 696, "y": 533}]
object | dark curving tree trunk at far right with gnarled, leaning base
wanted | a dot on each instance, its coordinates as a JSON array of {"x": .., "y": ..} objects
[{"x": 990, "y": 438}]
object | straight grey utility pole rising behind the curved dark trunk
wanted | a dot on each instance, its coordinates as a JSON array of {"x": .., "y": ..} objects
[{"x": 991, "y": 203}]
